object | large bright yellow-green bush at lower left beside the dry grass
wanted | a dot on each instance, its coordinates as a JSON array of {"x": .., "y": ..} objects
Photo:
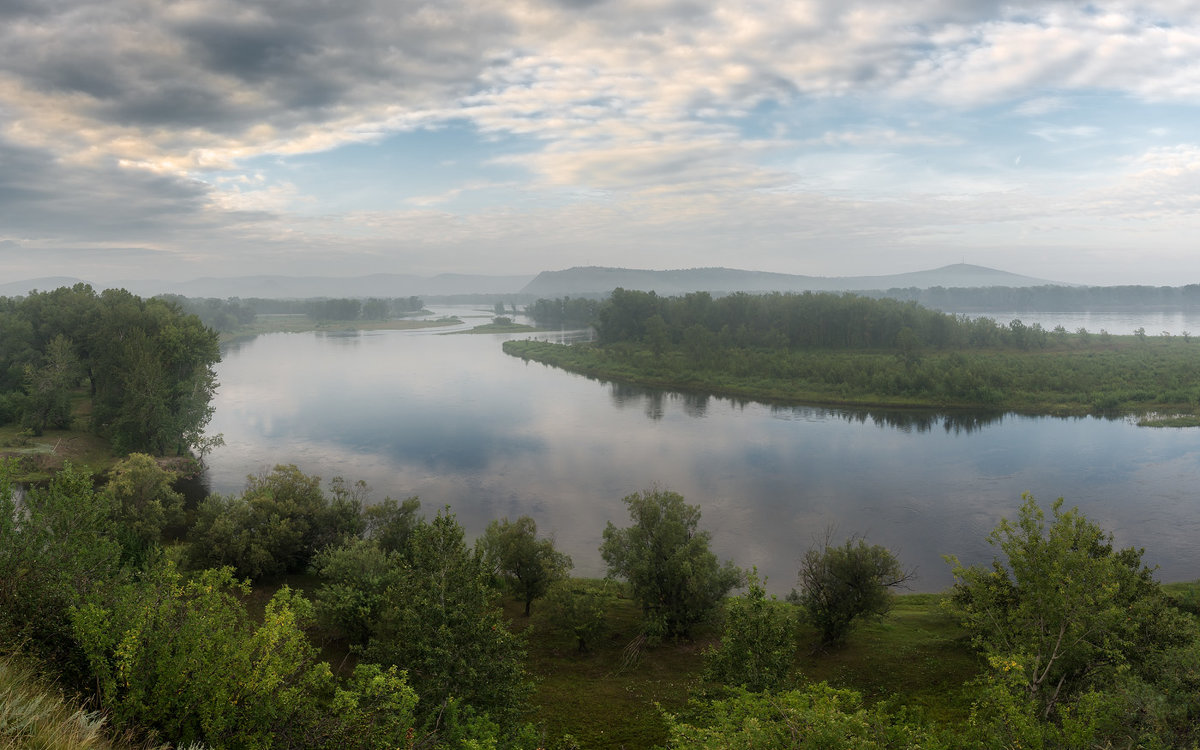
[{"x": 183, "y": 658}]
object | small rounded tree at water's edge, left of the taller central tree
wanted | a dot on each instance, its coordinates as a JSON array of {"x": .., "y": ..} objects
[{"x": 526, "y": 566}]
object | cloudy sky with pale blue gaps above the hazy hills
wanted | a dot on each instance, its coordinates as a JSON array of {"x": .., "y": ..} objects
[{"x": 183, "y": 139}]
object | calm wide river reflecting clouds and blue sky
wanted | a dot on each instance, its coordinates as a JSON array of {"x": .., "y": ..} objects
[{"x": 458, "y": 423}]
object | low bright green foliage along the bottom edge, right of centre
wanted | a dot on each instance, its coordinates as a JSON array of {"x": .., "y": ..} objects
[{"x": 817, "y": 718}]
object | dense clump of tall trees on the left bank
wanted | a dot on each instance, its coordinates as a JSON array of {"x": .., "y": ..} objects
[{"x": 146, "y": 365}]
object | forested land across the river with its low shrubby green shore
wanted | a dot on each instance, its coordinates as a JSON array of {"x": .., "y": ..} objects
[{"x": 851, "y": 350}]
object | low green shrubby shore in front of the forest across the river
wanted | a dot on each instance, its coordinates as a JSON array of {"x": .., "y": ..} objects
[{"x": 1120, "y": 376}]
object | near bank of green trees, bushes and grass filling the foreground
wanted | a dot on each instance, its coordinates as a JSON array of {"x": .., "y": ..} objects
[{"x": 177, "y": 627}]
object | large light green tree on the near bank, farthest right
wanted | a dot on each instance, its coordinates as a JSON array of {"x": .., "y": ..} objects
[{"x": 1064, "y": 609}]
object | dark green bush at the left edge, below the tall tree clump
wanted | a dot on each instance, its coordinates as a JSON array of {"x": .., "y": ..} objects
[{"x": 57, "y": 551}]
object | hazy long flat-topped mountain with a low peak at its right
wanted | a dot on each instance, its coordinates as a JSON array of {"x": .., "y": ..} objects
[{"x": 596, "y": 280}]
